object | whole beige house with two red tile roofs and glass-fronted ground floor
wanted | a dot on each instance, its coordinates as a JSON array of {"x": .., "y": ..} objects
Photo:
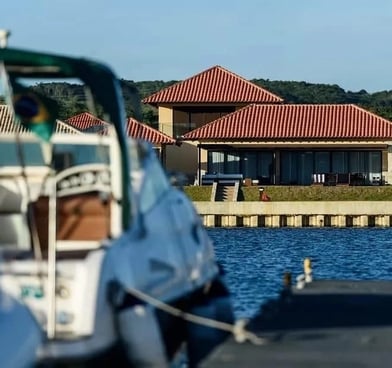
[{"x": 228, "y": 125}]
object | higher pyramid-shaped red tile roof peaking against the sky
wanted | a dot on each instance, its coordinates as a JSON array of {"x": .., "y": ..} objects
[{"x": 214, "y": 85}]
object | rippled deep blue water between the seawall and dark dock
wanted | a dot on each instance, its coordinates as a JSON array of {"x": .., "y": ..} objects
[{"x": 256, "y": 258}]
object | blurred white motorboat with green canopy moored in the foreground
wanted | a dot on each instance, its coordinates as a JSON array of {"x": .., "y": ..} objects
[{"x": 107, "y": 256}]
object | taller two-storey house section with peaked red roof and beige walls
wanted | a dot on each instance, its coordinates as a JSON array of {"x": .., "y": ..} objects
[{"x": 196, "y": 101}]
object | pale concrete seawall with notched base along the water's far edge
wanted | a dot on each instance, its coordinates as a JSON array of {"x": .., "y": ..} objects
[{"x": 296, "y": 214}]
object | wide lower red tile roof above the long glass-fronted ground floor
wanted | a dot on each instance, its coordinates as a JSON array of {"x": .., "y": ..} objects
[{"x": 287, "y": 122}]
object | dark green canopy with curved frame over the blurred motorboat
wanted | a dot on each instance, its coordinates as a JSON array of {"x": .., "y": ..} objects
[{"x": 98, "y": 78}]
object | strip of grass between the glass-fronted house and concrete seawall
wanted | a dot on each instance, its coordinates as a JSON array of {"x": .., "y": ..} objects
[{"x": 302, "y": 193}]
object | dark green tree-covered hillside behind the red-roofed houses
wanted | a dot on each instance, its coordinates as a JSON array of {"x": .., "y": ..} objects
[{"x": 71, "y": 102}]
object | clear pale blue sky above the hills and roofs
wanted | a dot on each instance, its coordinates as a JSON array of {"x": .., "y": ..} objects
[{"x": 343, "y": 42}]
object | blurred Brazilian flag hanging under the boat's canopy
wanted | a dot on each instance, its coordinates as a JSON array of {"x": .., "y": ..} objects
[{"x": 36, "y": 112}]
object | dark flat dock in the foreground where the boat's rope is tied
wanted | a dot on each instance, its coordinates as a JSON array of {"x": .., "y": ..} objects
[{"x": 327, "y": 324}]
